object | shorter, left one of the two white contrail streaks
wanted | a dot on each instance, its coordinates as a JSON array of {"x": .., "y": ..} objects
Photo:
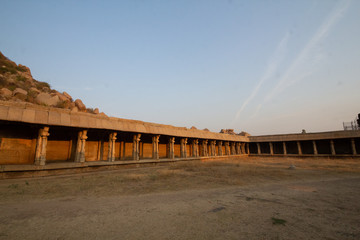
[{"x": 271, "y": 69}]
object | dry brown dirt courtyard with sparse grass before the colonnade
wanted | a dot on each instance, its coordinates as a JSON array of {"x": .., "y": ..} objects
[{"x": 237, "y": 198}]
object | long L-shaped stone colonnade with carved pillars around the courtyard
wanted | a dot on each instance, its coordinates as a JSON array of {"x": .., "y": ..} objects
[{"x": 36, "y": 138}]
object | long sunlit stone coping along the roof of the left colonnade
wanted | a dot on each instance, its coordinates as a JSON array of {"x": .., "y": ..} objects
[{"x": 36, "y": 114}]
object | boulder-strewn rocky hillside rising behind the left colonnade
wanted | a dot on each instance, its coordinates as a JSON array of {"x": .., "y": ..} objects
[{"x": 18, "y": 85}]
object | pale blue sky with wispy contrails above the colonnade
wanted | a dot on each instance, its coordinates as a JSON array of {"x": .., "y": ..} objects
[{"x": 258, "y": 66}]
